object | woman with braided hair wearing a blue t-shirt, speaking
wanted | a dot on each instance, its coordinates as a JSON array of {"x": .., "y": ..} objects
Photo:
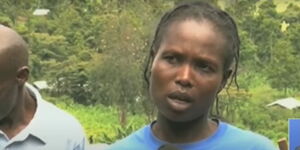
[{"x": 194, "y": 52}]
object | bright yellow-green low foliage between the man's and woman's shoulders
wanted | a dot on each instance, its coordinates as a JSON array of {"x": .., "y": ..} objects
[{"x": 101, "y": 123}]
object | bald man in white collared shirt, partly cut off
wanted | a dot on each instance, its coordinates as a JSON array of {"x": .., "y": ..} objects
[{"x": 27, "y": 122}]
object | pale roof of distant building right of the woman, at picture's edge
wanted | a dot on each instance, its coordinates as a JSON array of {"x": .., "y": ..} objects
[{"x": 287, "y": 103}]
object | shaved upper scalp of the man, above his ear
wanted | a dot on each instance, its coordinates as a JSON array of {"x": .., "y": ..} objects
[{"x": 13, "y": 51}]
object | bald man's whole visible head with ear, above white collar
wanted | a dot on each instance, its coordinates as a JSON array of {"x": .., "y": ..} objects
[{"x": 14, "y": 71}]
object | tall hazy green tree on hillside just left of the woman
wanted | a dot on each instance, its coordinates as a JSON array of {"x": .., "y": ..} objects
[{"x": 117, "y": 78}]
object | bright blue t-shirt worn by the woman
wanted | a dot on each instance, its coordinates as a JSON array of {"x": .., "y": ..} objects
[{"x": 227, "y": 137}]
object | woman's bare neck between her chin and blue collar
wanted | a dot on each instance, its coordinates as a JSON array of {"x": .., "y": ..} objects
[{"x": 183, "y": 132}]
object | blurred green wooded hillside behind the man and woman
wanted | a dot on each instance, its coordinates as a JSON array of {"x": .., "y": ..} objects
[{"x": 87, "y": 57}]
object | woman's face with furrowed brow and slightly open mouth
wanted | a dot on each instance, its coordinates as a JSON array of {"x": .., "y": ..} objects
[{"x": 187, "y": 71}]
